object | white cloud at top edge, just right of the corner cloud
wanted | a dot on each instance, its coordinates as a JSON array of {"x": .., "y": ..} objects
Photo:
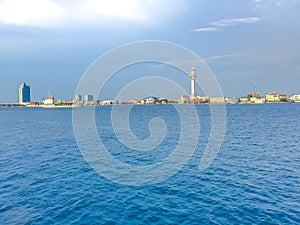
[{"x": 125, "y": 10}]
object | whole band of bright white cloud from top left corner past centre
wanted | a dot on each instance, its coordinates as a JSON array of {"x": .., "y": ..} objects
[{"x": 48, "y": 12}]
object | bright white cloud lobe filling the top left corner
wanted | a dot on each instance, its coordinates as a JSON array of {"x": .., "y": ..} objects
[{"x": 29, "y": 12}]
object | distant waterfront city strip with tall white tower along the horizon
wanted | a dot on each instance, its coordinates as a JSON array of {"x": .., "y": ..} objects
[{"x": 192, "y": 98}]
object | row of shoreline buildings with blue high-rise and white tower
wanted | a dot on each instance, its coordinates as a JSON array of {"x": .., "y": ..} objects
[{"x": 250, "y": 98}]
